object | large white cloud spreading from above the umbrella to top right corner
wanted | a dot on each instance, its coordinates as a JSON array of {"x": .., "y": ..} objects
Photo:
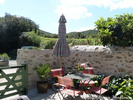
[{"x": 76, "y": 9}]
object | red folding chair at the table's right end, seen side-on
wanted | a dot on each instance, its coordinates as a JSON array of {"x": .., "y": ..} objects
[{"x": 100, "y": 90}]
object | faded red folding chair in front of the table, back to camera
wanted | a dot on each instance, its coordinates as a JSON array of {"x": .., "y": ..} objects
[{"x": 68, "y": 85}]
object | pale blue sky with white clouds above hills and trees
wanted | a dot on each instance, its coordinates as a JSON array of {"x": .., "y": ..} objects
[{"x": 80, "y": 14}]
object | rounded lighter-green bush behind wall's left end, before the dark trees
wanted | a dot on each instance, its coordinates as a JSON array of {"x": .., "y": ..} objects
[{"x": 30, "y": 39}]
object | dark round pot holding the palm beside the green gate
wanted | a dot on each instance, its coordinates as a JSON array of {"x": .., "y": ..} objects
[{"x": 42, "y": 87}]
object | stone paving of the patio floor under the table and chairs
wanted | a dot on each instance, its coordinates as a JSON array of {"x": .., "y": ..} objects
[{"x": 33, "y": 95}]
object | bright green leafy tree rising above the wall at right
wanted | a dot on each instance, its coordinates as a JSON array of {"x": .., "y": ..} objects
[{"x": 116, "y": 31}]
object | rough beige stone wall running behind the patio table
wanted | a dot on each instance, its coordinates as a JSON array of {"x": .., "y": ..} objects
[{"x": 105, "y": 60}]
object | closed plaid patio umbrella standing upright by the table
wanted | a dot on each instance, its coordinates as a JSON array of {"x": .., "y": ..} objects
[{"x": 61, "y": 48}]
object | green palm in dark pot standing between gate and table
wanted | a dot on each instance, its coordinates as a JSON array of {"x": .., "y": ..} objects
[{"x": 43, "y": 73}]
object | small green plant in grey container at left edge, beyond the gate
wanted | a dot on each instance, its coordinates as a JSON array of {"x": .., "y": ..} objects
[{"x": 4, "y": 59}]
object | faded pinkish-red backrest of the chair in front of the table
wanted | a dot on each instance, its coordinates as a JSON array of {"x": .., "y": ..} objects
[{"x": 67, "y": 82}]
